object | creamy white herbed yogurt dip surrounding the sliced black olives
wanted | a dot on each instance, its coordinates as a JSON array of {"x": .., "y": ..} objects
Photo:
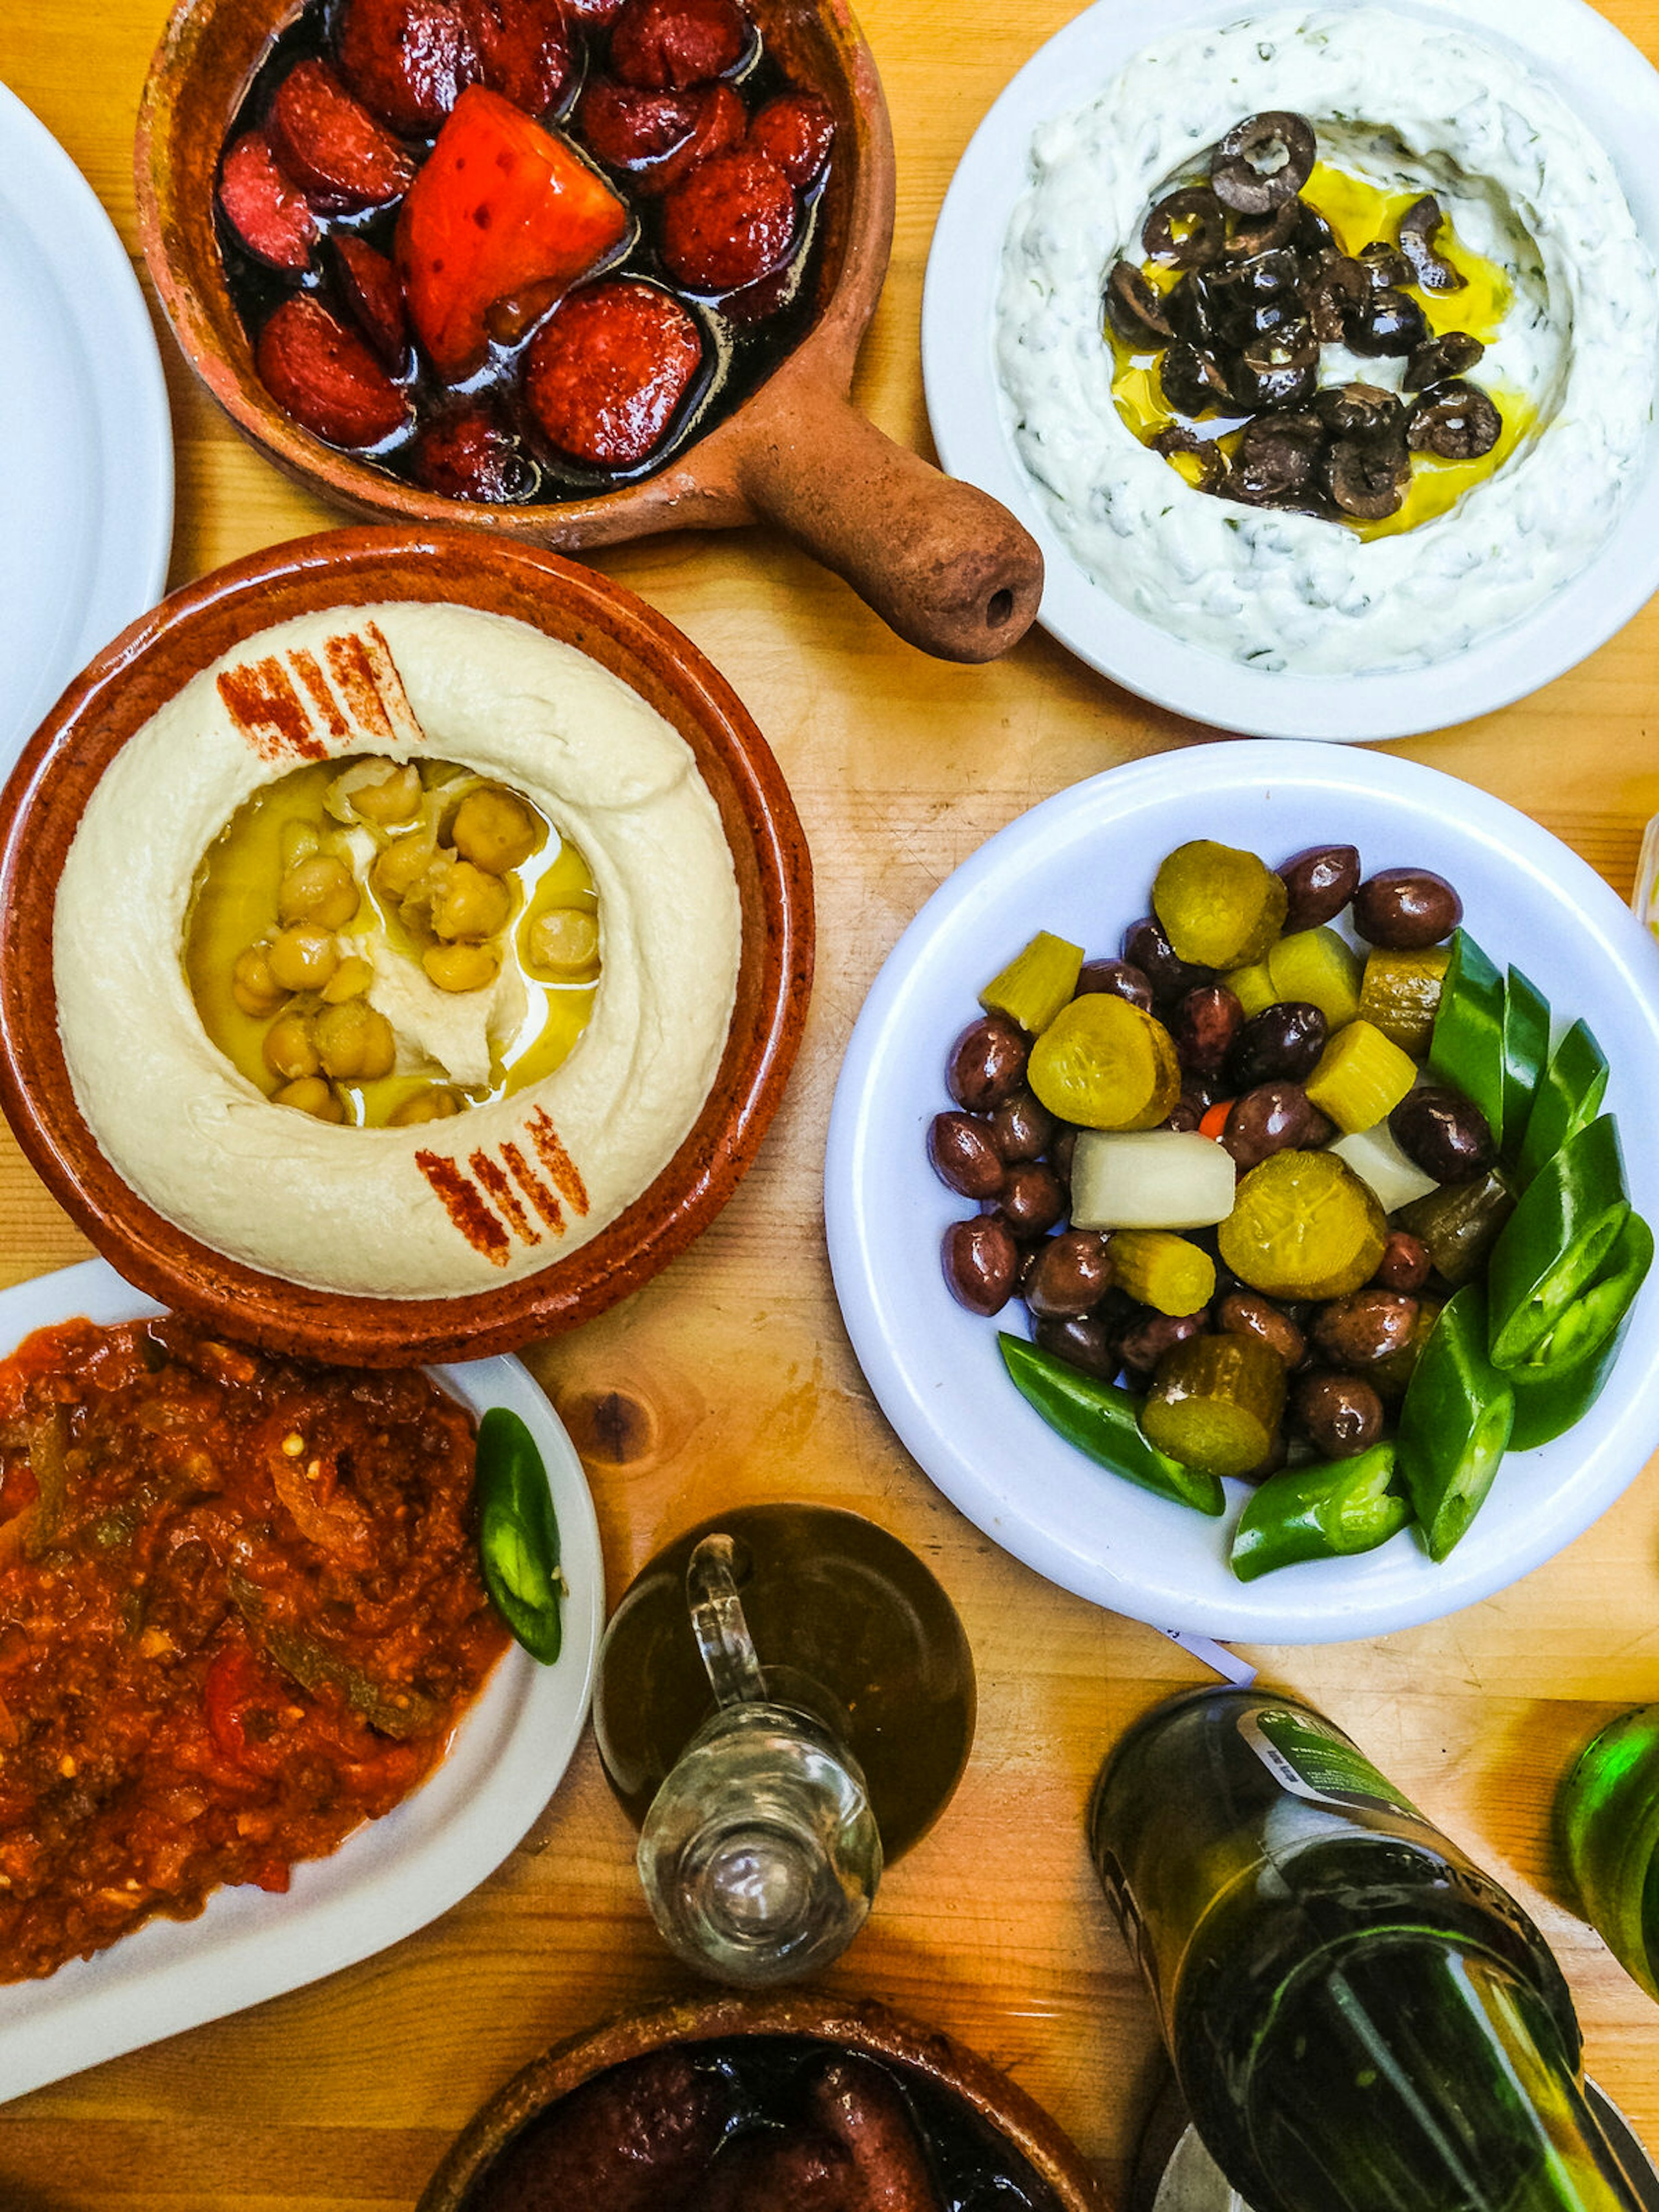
[{"x": 1408, "y": 105}]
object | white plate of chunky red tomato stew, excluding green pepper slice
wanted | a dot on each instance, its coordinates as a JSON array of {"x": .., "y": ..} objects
[{"x": 258, "y": 1713}]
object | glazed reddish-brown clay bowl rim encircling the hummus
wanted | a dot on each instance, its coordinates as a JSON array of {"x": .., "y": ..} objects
[{"x": 147, "y": 665}]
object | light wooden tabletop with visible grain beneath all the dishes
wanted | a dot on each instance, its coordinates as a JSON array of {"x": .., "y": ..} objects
[{"x": 344, "y": 2096}]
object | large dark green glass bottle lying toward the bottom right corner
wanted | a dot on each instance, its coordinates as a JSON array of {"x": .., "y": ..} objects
[{"x": 1359, "y": 2018}]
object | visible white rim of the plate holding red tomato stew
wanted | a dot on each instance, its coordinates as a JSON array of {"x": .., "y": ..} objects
[{"x": 388, "y": 1877}]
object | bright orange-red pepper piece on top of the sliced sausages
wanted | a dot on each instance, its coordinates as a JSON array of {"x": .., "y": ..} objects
[{"x": 501, "y": 207}]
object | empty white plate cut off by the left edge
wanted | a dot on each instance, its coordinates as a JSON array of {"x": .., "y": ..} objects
[{"x": 87, "y": 481}]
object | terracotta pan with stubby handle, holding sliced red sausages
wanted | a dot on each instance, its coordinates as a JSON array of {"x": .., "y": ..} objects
[{"x": 943, "y": 563}]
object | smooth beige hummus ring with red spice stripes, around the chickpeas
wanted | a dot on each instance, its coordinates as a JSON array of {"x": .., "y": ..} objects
[{"x": 508, "y": 1187}]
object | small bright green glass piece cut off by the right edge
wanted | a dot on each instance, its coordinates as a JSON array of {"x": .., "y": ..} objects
[{"x": 1609, "y": 1815}]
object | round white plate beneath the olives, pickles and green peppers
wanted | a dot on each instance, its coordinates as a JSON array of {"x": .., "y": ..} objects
[{"x": 1083, "y": 866}]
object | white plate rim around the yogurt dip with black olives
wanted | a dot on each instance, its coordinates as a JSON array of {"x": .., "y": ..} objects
[{"x": 1616, "y": 92}]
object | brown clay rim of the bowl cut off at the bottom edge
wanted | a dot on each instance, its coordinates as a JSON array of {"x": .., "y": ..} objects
[{"x": 853, "y": 2023}]
